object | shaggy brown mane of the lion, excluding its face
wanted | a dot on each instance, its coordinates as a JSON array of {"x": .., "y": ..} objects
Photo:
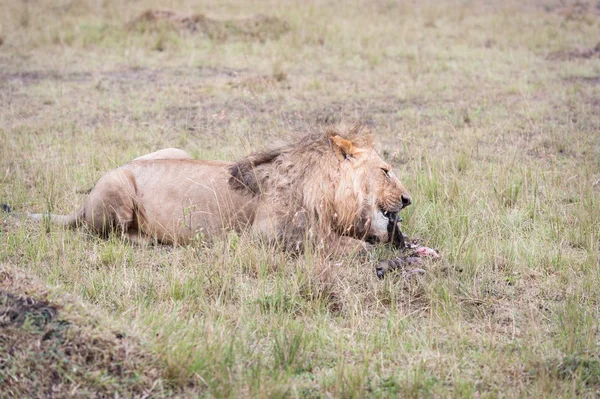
[{"x": 296, "y": 181}]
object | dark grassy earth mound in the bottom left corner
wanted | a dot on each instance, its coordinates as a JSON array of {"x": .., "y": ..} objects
[{"x": 52, "y": 348}]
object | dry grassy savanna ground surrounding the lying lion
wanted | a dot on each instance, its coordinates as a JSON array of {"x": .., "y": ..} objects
[{"x": 489, "y": 111}]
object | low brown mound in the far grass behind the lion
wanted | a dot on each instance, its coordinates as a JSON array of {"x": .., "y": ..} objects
[{"x": 258, "y": 27}]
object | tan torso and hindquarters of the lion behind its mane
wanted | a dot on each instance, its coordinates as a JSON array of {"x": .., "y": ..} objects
[{"x": 170, "y": 200}]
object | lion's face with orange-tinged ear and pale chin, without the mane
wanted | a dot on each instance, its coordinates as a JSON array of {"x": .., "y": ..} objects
[{"x": 369, "y": 194}]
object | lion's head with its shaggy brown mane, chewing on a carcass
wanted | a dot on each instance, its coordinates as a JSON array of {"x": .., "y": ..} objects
[{"x": 332, "y": 181}]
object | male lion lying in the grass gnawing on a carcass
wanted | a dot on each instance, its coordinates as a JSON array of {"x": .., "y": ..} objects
[{"x": 328, "y": 187}]
